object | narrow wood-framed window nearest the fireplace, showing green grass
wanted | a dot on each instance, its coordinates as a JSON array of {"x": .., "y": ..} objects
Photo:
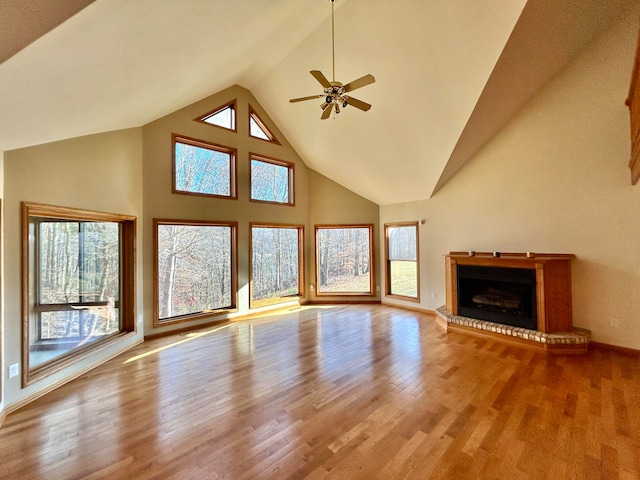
[{"x": 401, "y": 251}]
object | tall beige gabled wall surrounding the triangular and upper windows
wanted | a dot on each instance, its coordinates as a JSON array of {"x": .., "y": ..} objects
[{"x": 315, "y": 196}]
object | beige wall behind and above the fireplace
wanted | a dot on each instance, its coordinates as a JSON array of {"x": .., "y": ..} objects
[{"x": 554, "y": 180}]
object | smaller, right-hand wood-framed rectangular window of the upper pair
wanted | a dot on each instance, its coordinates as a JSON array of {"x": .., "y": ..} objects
[{"x": 271, "y": 180}]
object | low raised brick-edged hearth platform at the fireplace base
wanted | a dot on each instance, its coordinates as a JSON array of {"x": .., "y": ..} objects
[{"x": 574, "y": 342}]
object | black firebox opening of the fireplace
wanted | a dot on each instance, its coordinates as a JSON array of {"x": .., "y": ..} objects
[{"x": 498, "y": 294}]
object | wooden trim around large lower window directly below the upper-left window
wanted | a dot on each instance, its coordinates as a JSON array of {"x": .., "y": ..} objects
[{"x": 234, "y": 272}]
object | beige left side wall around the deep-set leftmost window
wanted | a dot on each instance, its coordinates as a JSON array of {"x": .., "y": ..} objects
[{"x": 98, "y": 172}]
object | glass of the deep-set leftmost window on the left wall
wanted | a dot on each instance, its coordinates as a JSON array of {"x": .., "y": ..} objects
[{"x": 78, "y": 271}]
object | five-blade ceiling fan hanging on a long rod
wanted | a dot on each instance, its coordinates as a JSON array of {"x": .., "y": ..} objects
[{"x": 335, "y": 93}]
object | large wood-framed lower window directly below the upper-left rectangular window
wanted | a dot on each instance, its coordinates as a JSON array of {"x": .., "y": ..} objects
[{"x": 195, "y": 269}]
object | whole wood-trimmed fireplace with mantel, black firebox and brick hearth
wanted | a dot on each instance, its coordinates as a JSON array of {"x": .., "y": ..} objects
[{"x": 522, "y": 298}]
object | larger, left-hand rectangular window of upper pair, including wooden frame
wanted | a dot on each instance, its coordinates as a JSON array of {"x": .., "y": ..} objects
[{"x": 203, "y": 168}]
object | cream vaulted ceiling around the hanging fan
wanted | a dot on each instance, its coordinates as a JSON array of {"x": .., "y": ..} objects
[{"x": 449, "y": 73}]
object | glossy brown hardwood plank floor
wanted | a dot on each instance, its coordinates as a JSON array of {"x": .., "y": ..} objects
[{"x": 345, "y": 392}]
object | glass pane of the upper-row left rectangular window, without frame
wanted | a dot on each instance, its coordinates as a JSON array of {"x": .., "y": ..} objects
[{"x": 202, "y": 170}]
